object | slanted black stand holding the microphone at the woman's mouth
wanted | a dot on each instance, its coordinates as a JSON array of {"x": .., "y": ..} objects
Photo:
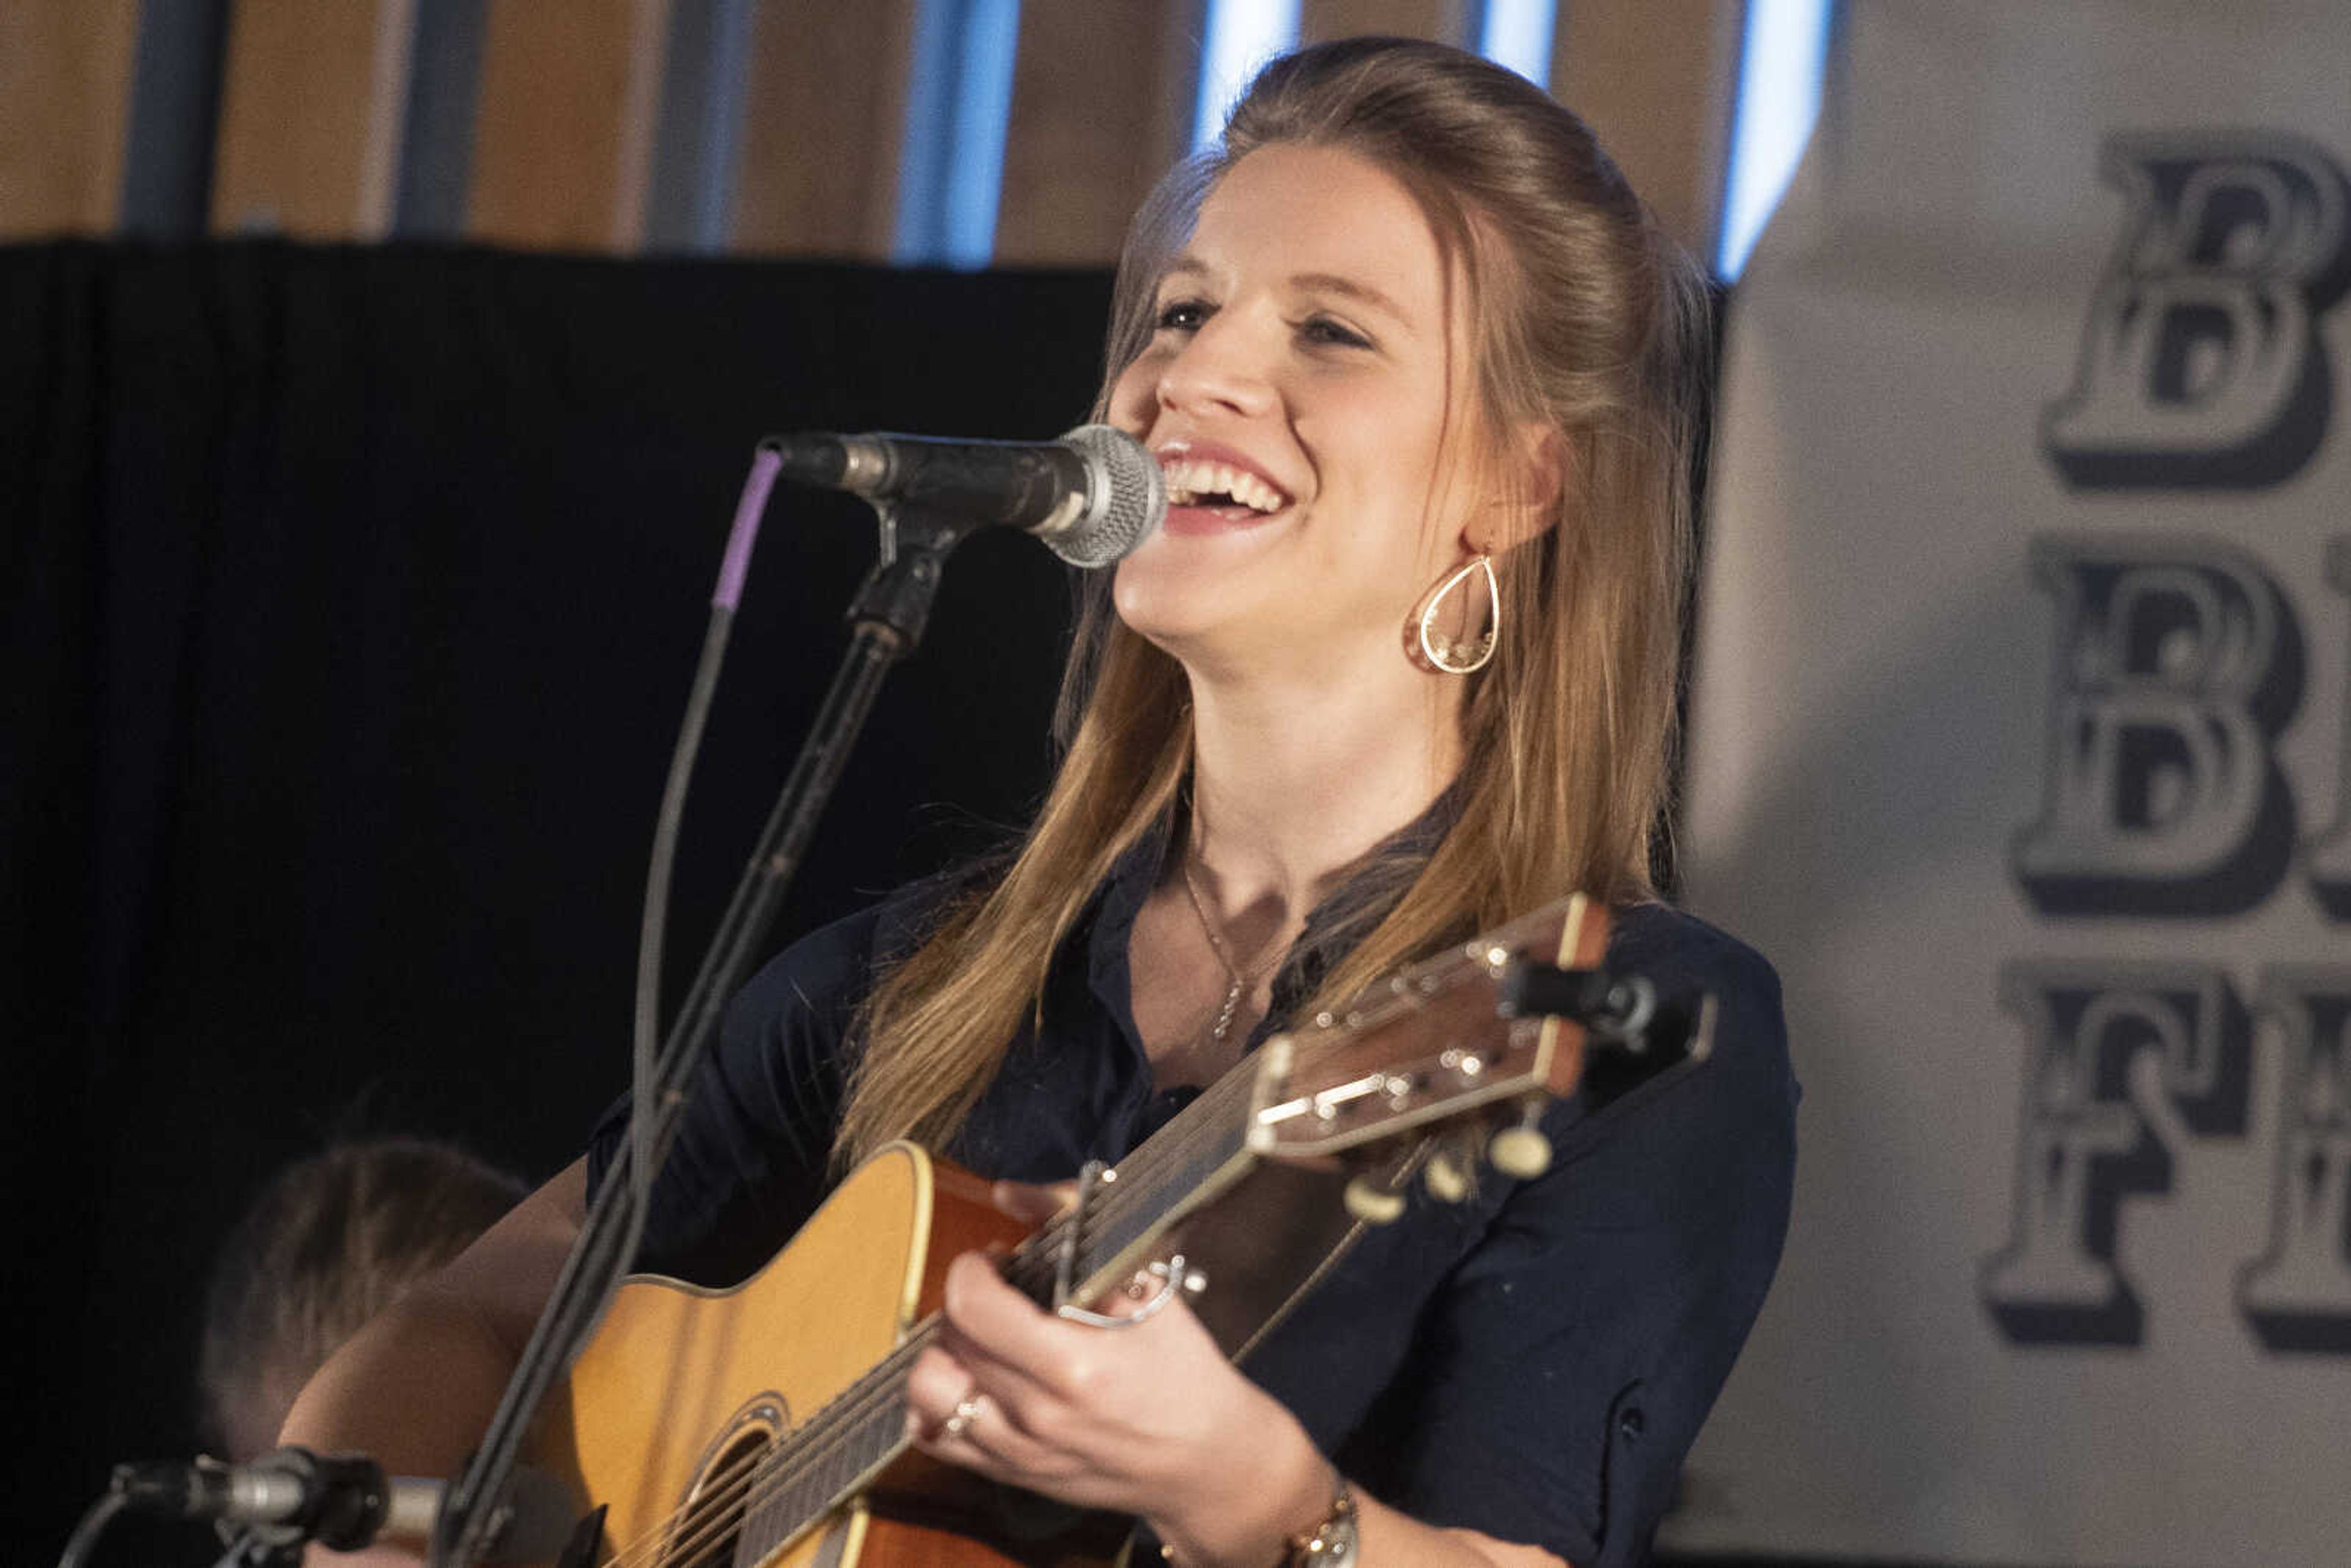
[{"x": 888, "y": 619}]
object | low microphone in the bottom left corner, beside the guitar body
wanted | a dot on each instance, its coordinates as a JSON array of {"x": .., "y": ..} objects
[{"x": 342, "y": 1501}]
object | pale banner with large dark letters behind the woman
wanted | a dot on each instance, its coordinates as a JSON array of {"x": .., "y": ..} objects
[{"x": 2021, "y": 746}]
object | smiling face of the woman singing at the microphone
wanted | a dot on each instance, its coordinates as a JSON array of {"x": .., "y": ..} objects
[{"x": 1306, "y": 396}]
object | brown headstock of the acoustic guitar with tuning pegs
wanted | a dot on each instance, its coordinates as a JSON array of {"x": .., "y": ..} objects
[{"x": 1428, "y": 1045}]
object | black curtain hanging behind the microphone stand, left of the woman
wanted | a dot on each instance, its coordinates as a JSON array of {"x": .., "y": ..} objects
[{"x": 351, "y": 598}]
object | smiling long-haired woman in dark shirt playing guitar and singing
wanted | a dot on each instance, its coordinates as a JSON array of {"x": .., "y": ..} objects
[{"x": 1400, "y": 666}]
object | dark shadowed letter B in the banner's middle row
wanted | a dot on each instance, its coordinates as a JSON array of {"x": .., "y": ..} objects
[{"x": 2178, "y": 664}]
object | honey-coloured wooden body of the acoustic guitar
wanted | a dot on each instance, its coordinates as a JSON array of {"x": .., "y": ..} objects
[{"x": 683, "y": 1388}]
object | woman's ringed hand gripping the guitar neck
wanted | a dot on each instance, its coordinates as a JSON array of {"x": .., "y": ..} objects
[{"x": 1144, "y": 1419}]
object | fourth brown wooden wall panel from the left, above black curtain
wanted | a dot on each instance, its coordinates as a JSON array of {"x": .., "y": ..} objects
[{"x": 819, "y": 168}]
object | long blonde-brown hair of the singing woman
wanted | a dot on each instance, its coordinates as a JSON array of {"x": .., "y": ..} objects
[{"x": 1586, "y": 319}]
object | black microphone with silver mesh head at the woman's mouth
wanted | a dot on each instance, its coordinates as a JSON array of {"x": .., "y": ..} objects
[{"x": 1092, "y": 497}]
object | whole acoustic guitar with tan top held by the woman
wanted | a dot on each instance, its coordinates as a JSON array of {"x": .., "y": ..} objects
[{"x": 768, "y": 1423}]
